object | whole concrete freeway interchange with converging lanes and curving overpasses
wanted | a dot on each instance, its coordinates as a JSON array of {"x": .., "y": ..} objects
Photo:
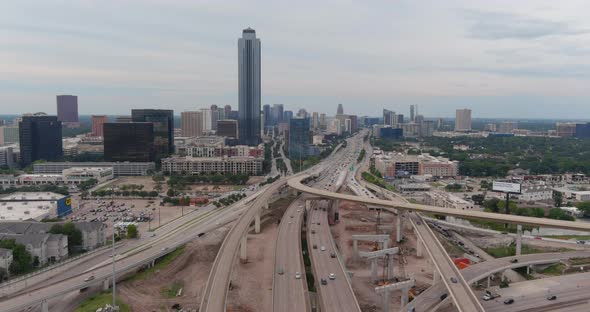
[{"x": 310, "y": 213}]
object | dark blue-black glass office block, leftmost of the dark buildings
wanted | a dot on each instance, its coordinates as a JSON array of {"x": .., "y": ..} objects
[{"x": 40, "y": 138}]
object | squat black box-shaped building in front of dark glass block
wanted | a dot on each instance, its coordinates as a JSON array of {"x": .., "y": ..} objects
[{"x": 129, "y": 141}]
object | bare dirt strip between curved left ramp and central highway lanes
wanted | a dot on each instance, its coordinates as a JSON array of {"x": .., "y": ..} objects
[{"x": 252, "y": 281}]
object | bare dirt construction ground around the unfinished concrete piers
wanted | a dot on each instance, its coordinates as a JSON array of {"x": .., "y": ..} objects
[{"x": 350, "y": 223}]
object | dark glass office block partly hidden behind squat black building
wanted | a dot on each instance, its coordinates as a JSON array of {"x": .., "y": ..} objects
[{"x": 163, "y": 120}]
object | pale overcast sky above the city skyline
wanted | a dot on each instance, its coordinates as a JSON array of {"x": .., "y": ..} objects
[{"x": 506, "y": 59}]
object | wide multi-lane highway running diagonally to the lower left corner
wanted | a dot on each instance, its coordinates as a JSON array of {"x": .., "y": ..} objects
[{"x": 151, "y": 249}]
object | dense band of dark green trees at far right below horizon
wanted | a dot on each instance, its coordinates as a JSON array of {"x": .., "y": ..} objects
[{"x": 494, "y": 156}]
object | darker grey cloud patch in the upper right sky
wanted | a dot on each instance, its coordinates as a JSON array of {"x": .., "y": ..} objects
[{"x": 497, "y": 26}]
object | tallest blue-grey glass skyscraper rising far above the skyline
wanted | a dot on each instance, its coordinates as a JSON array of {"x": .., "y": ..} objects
[{"x": 249, "y": 64}]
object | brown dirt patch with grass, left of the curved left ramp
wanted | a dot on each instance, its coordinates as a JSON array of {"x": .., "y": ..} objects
[{"x": 191, "y": 268}]
